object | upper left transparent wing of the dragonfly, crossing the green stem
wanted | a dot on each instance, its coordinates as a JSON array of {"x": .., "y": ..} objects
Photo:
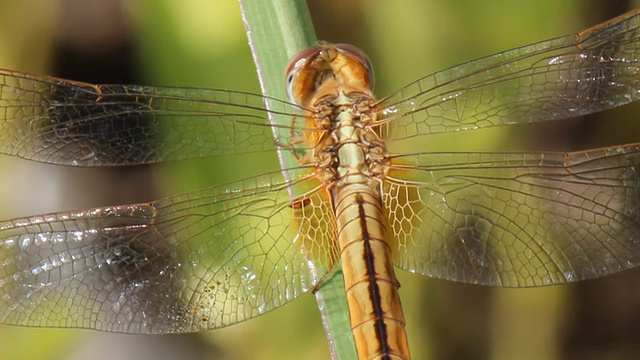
[{"x": 65, "y": 122}]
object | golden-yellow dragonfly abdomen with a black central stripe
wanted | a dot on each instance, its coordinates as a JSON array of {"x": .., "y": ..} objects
[{"x": 375, "y": 312}]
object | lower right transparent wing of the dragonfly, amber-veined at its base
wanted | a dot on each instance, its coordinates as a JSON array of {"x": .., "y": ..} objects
[{"x": 516, "y": 219}]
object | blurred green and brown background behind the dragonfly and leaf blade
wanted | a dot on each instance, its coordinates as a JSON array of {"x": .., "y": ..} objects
[{"x": 202, "y": 43}]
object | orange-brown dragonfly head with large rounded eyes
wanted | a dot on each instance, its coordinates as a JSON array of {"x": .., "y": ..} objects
[{"x": 317, "y": 70}]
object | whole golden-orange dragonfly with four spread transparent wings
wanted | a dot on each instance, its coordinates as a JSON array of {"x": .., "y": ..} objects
[{"x": 358, "y": 196}]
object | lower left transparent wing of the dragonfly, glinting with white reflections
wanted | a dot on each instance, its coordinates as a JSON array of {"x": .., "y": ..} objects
[{"x": 185, "y": 263}]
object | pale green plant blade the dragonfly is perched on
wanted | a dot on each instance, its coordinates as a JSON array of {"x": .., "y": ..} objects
[{"x": 276, "y": 31}]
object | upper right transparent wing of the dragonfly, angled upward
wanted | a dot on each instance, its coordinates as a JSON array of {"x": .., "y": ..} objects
[{"x": 564, "y": 77}]
